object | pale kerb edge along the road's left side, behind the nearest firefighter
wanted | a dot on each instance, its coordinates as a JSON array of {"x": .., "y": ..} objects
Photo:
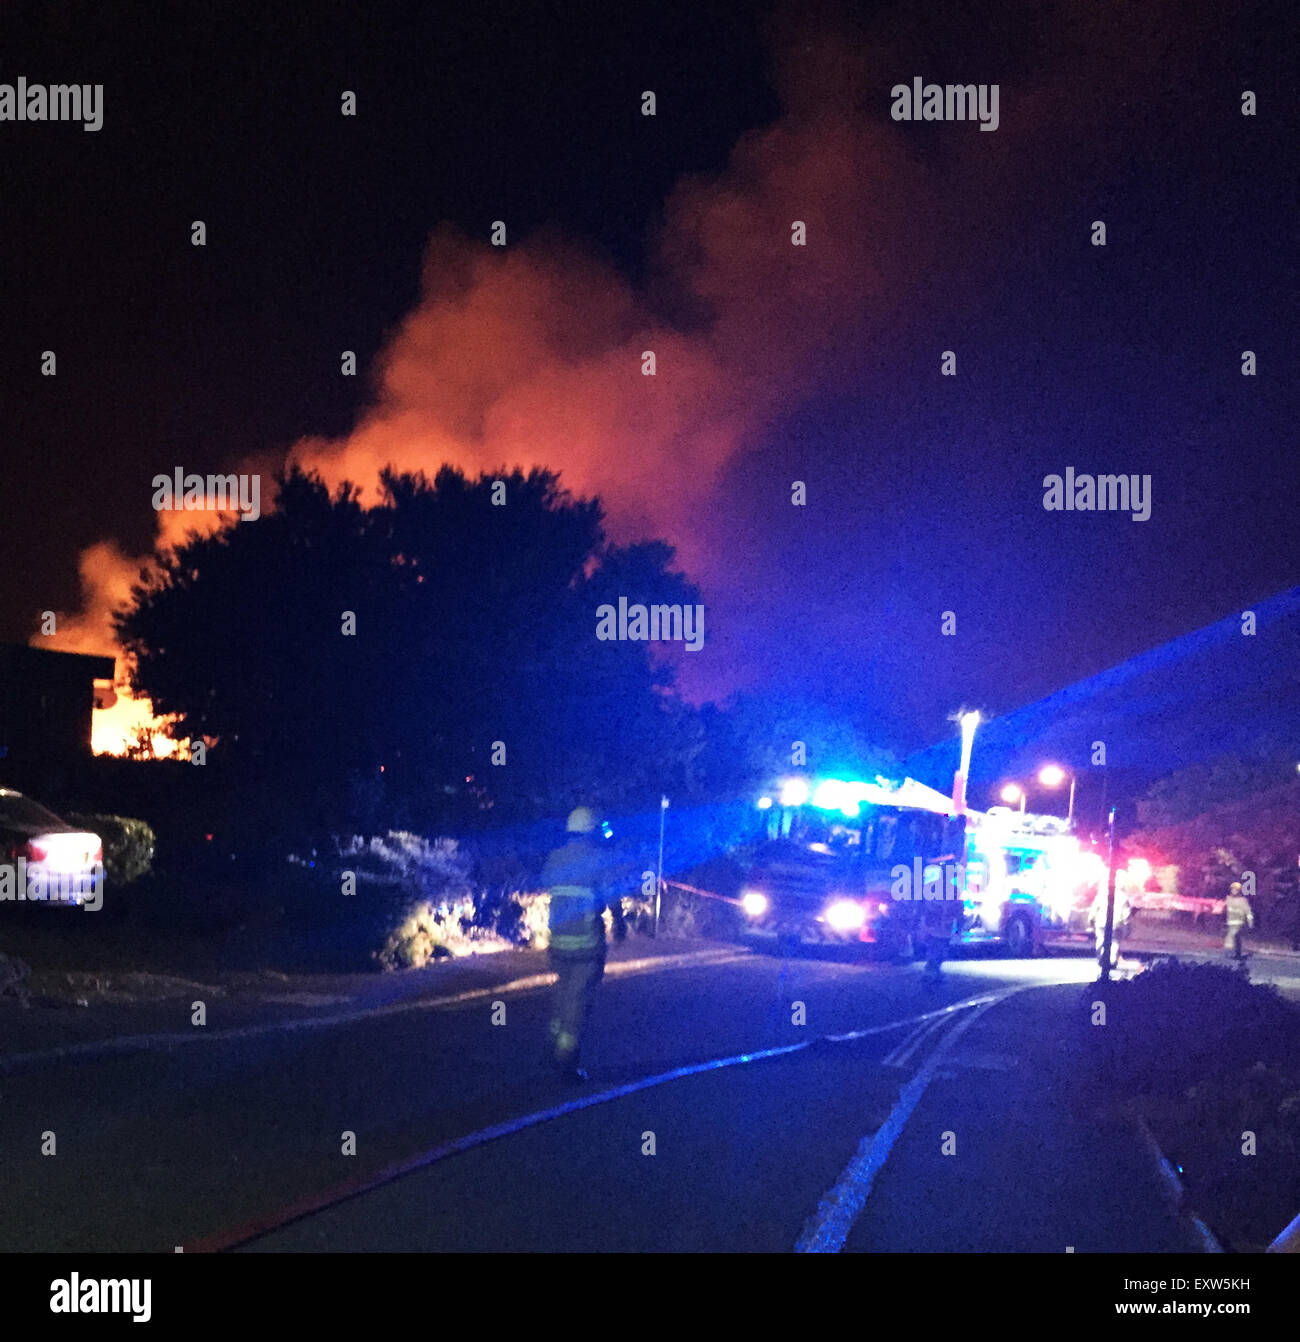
[{"x": 124, "y": 1045}]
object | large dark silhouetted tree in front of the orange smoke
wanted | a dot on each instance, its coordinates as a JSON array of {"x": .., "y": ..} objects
[{"x": 474, "y": 643}]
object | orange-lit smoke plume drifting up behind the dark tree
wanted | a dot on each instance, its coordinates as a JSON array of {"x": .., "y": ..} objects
[{"x": 815, "y": 241}]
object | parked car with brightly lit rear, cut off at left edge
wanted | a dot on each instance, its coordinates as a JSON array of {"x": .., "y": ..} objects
[{"x": 58, "y": 860}]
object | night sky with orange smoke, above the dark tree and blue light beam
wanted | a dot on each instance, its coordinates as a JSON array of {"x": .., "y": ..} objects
[{"x": 776, "y": 364}]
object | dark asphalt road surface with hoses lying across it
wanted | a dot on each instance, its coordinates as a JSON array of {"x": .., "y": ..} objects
[{"x": 183, "y": 1147}]
